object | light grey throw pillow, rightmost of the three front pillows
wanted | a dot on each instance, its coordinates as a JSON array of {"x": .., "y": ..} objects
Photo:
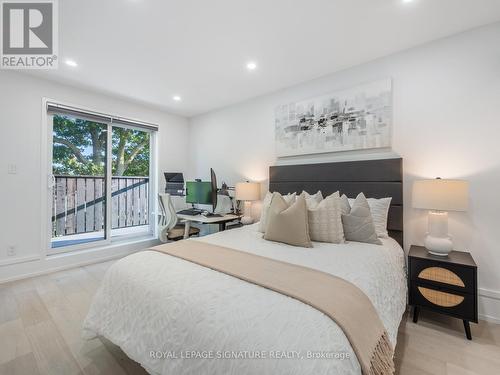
[{"x": 358, "y": 224}]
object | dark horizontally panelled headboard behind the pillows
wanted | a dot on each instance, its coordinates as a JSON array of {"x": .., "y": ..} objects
[{"x": 375, "y": 178}]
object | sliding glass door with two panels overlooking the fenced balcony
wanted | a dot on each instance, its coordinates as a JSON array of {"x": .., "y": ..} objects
[{"x": 101, "y": 185}]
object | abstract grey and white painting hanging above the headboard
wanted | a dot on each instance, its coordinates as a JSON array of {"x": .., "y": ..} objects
[{"x": 353, "y": 119}]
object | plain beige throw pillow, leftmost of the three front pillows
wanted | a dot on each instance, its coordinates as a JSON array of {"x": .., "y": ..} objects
[{"x": 288, "y": 224}]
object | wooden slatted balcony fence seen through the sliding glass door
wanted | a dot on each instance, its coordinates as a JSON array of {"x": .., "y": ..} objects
[{"x": 79, "y": 204}]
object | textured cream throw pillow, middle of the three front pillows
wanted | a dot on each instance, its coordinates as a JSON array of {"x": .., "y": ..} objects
[{"x": 325, "y": 220}]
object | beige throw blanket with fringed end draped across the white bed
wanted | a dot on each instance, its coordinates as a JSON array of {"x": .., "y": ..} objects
[{"x": 339, "y": 299}]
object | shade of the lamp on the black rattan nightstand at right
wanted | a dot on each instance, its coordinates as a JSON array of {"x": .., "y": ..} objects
[{"x": 441, "y": 195}]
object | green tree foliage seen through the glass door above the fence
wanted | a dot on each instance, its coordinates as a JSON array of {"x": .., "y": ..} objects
[{"x": 80, "y": 148}]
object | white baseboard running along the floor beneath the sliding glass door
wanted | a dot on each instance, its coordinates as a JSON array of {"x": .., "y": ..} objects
[{"x": 60, "y": 262}]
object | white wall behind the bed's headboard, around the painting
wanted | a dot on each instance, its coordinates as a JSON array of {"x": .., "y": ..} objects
[{"x": 446, "y": 123}]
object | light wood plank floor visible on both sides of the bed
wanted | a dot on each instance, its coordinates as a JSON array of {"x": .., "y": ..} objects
[{"x": 41, "y": 318}]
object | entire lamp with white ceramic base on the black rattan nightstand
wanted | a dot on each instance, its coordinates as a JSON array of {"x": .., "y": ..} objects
[{"x": 440, "y": 196}]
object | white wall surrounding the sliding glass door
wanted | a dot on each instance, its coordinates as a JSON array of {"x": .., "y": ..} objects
[{"x": 20, "y": 144}]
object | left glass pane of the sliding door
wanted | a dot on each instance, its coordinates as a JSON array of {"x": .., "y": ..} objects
[{"x": 79, "y": 183}]
